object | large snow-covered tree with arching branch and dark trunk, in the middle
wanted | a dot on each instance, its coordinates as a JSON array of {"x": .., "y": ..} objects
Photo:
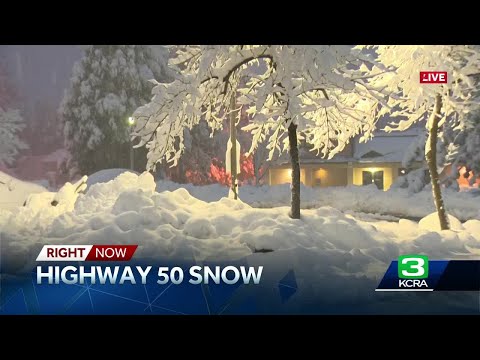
[{"x": 319, "y": 93}]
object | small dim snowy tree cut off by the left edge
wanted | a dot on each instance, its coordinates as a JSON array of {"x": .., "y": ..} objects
[{"x": 11, "y": 123}]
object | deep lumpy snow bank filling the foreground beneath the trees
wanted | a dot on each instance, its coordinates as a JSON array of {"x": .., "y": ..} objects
[{"x": 329, "y": 250}]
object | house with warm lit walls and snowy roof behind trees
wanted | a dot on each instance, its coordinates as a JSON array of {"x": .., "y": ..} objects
[{"x": 378, "y": 161}]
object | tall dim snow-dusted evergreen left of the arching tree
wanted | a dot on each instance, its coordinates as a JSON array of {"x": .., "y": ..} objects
[{"x": 107, "y": 85}]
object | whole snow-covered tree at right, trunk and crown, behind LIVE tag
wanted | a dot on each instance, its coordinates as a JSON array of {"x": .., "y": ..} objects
[{"x": 441, "y": 104}]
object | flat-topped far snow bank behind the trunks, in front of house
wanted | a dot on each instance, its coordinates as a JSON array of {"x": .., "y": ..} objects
[{"x": 398, "y": 202}]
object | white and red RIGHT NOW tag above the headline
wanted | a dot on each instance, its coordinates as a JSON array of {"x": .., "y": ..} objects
[{"x": 86, "y": 252}]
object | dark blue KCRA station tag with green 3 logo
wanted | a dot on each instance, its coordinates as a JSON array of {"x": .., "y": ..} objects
[{"x": 417, "y": 273}]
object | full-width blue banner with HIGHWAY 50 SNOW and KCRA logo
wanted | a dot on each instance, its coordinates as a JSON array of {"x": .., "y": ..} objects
[{"x": 277, "y": 284}]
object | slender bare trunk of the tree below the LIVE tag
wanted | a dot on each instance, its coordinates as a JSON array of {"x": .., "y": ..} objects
[{"x": 431, "y": 157}]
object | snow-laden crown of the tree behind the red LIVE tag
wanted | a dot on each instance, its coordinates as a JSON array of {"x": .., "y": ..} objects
[{"x": 413, "y": 100}]
